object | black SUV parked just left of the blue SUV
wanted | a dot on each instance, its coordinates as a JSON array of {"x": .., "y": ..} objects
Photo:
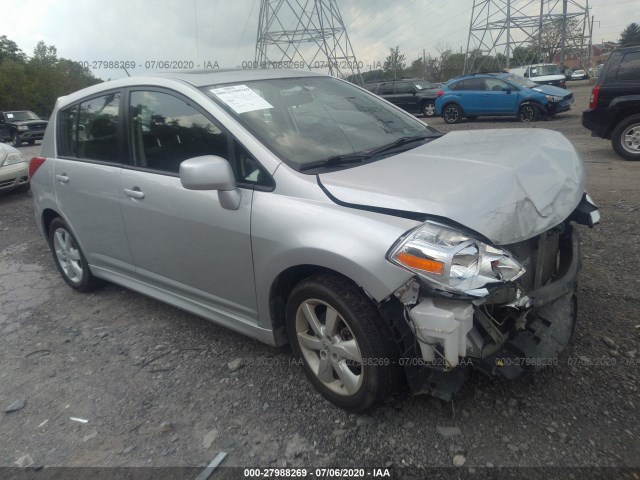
[{"x": 410, "y": 94}]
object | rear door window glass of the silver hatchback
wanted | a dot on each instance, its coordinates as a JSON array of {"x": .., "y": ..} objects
[{"x": 89, "y": 130}]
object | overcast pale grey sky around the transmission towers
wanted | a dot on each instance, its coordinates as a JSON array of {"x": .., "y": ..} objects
[{"x": 224, "y": 31}]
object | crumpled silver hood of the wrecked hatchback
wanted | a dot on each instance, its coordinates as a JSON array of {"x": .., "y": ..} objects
[{"x": 508, "y": 185}]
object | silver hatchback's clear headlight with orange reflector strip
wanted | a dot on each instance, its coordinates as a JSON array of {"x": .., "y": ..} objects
[{"x": 454, "y": 261}]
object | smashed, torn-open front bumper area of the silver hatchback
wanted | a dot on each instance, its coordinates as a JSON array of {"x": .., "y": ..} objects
[{"x": 510, "y": 334}]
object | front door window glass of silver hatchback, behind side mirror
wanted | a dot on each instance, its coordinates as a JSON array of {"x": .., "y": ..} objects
[{"x": 165, "y": 130}]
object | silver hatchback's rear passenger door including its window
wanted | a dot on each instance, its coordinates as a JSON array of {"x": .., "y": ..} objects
[{"x": 87, "y": 175}]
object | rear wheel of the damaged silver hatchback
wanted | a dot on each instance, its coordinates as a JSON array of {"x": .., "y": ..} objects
[{"x": 69, "y": 259}]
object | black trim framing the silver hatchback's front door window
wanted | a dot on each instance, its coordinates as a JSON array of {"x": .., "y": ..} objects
[{"x": 230, "y": 137}]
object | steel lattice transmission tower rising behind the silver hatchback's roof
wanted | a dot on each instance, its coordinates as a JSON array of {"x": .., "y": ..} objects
[{"x": 305, "y": 33}]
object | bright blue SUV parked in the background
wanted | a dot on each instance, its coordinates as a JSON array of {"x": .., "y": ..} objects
[{"x": 500, "y": 95}]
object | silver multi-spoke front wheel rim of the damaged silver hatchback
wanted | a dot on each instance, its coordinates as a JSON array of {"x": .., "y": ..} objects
[{"x": 329, "y": 347}]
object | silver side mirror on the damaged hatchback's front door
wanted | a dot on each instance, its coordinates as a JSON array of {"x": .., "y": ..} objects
[{"x": 211, "y": 172}]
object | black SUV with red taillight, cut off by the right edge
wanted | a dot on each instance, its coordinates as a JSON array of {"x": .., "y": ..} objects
[{"x": 614, "y": 107}]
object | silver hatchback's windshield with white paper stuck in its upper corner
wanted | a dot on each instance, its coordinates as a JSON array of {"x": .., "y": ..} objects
[{"x": 308, "y": 119}]
